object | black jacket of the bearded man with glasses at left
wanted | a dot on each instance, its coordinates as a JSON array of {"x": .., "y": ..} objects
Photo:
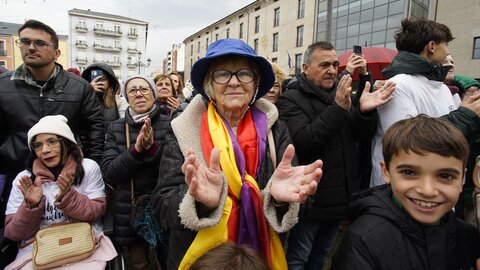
[{"x": 22, "y": 105}]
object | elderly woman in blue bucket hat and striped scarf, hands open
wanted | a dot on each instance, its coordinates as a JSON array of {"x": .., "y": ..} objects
[{"x": 219, "y": 180}]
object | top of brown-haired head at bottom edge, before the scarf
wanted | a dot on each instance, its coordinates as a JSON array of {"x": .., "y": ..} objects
[{"x": 228, "y": 256}]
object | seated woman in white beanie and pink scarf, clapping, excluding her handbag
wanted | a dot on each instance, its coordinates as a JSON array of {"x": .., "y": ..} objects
[{"x": 58, "y": 185}]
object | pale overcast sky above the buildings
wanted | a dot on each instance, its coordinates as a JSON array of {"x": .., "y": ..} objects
[{"x": 170, "y": 21}]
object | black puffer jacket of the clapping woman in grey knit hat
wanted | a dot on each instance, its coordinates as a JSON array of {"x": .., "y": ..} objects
[{"x": 119, "y": 165}]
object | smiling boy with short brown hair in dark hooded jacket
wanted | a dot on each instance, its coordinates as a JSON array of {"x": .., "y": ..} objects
[{"x": 408, "y": 223}]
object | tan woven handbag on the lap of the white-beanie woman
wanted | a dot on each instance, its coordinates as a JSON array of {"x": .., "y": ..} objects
[{"x": 62, "y": 244}]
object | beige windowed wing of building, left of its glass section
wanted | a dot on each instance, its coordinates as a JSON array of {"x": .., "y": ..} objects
[{"x": 278, "y": 30}]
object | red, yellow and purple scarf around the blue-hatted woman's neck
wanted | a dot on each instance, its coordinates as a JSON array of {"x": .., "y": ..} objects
[{"x": 243, "y": 220}]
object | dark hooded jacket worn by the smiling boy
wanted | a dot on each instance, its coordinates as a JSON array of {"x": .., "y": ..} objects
[{"x": 384, "y": 236}]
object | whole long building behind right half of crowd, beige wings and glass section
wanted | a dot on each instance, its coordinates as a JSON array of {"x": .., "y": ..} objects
[{"x": 281, "y": 30}]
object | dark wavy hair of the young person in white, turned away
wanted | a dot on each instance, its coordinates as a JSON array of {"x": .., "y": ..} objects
[{"x": 415, "y": 33}]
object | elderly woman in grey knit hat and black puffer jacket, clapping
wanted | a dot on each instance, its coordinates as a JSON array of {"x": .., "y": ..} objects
[{"x": 133, "y": 164}]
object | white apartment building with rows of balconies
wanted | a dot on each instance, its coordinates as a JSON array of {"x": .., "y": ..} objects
[{"x": 115, "y": 40}]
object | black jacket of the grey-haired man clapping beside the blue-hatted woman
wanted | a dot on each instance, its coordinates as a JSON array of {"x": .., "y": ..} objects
[{"x": 320, "y": 129}]
